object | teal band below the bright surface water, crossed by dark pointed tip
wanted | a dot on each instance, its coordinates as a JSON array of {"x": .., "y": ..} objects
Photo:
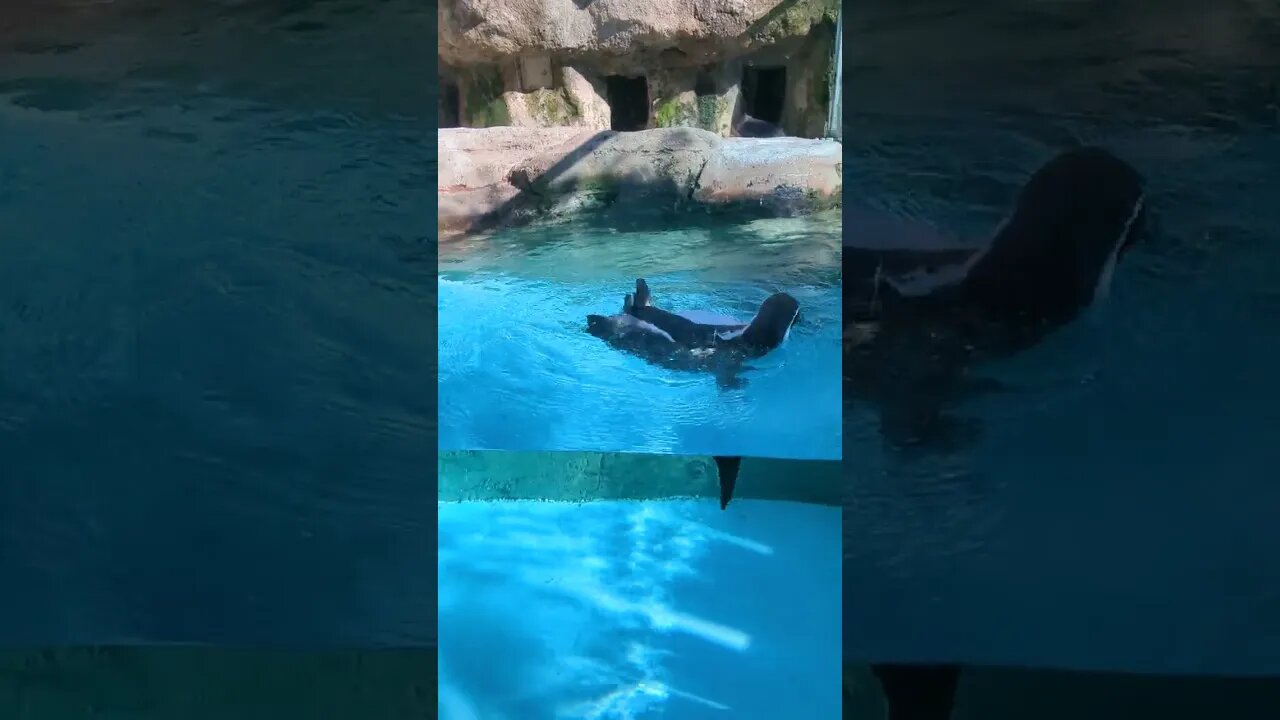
[{"x": 582, "y": 477}]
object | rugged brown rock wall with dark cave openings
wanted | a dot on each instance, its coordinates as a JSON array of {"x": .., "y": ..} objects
[{"x": 636, "y": 65}]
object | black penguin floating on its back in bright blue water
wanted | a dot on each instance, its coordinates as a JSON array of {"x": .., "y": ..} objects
[{"x": 696, "y": 340}]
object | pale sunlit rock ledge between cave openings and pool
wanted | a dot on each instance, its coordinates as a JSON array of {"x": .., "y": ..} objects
[{"x": 490, "y": 177}]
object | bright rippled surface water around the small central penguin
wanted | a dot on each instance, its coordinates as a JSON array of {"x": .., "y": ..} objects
[{"x": 520, "y": 372}]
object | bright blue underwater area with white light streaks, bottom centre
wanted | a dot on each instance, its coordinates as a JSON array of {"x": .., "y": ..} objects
[{"x": 624, "y": 610}]
